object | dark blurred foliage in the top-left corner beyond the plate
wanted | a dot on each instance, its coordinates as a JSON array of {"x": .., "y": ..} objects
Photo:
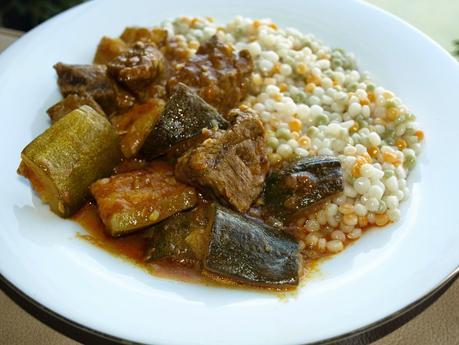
[{"x": 25, "y": 14}]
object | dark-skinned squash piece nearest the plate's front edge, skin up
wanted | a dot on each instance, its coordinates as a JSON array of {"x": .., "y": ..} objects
[{"x": 249, "y": 252}]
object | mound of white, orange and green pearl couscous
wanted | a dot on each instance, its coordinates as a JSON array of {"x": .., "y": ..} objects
[{"x": 313, "y": 100}]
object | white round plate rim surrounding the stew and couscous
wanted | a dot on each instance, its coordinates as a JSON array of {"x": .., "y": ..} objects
[{"x": 383, "y": 272}]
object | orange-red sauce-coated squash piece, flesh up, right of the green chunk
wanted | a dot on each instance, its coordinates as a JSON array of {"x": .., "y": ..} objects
[{"x": 136, "y": 199}]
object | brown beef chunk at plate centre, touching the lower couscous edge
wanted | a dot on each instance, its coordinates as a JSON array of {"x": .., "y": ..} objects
[{"x": 233, "y": 164}]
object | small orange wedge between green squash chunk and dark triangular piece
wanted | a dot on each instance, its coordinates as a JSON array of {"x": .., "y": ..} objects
[{"x": 135, "y": 125}]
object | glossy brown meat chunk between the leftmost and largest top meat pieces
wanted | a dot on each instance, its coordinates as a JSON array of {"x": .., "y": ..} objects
[{"x": 137, "y": 67}]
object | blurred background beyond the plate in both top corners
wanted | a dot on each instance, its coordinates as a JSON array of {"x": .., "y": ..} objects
[{"x": 437, "y": 18}]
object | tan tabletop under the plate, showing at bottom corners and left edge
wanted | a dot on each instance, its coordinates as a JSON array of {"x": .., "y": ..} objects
[{"x": 438, "y": 324}]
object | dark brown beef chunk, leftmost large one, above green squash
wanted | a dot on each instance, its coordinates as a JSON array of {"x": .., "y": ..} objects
[{"x": 92, "y": 80}]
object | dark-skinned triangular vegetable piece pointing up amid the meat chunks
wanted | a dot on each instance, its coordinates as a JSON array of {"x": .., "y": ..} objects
[{"x": 185, "y": 116}]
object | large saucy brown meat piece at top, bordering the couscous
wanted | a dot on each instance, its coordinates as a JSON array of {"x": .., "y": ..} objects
[{"x": 217, "y": 73}]
